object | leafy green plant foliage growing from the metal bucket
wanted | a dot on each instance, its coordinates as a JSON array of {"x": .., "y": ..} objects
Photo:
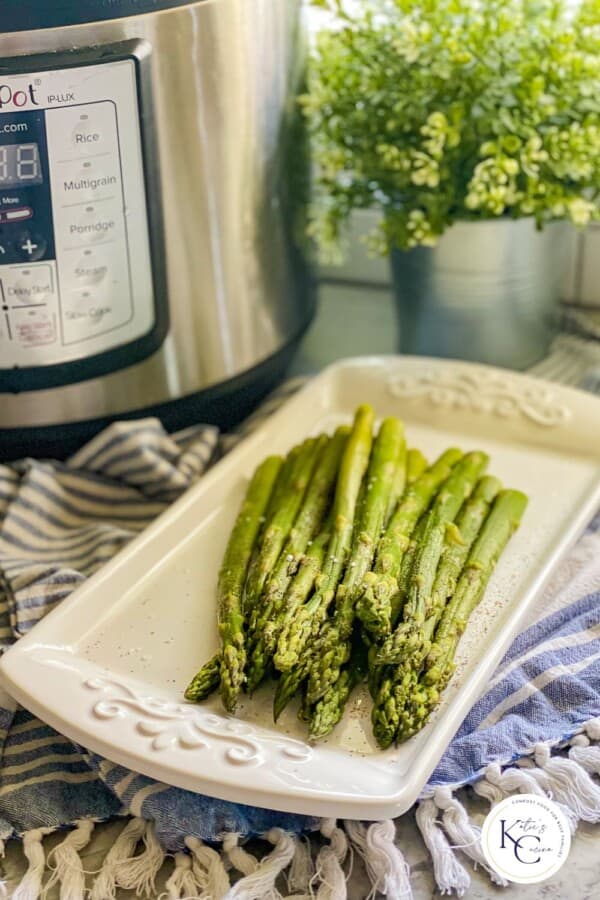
[{"x": 444, "y": 110}]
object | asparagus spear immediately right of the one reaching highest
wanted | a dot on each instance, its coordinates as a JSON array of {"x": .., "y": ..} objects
[{"x": 334, "y": 644}]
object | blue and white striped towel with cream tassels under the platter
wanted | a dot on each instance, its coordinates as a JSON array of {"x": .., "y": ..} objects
[{"x": 60, "y": 522}]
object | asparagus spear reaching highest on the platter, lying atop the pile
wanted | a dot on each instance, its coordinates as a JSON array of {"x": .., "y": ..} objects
[{"x": 306, "y": 621}]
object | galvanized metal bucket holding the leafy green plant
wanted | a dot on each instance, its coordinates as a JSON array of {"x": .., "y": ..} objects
[{"x": 488, "y": 291}]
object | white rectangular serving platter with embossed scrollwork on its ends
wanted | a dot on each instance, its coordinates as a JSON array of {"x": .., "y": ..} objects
[{"x": 108, "y": 667}]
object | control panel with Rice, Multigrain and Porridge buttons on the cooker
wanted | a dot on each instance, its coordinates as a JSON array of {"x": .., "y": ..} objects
[{"x": 77, "y": 293}]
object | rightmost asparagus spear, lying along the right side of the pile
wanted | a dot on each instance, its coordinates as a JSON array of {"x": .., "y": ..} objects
[{"x": 501, "y": 523}]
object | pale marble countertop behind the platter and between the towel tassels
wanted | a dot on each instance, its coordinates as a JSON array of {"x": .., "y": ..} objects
[{"x": 369, "y": 327}]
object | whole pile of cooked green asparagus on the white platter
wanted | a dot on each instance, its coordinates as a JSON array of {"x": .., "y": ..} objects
[{"x": 351, "y": 561}]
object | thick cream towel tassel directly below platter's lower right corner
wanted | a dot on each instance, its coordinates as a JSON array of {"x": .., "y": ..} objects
[{"x": 384, "y": 861}]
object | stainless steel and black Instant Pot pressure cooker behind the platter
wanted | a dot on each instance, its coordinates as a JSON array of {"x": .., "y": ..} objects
[{"x": 153, "y": 179}]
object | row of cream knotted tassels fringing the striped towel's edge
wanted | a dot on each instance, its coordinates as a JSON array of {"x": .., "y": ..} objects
[{"x": 203, "y": 874}]
